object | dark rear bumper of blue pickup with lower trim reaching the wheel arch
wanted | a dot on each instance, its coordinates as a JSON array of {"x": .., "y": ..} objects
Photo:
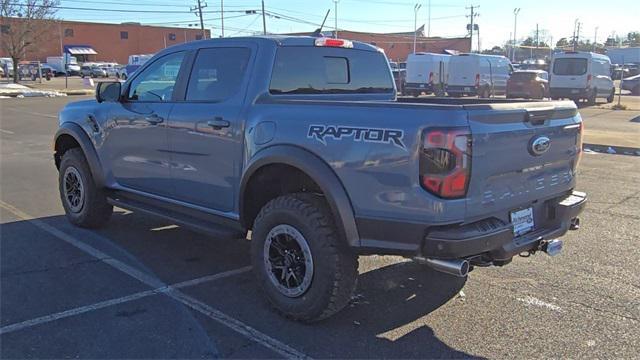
[{"x": 490, "y": 240}]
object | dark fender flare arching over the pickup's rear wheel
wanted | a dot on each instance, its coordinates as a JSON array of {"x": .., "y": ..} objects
[{"x": 319, "y": 171}]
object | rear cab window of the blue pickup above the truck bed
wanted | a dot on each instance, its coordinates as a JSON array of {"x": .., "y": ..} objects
[{"x": 322, "y": 70}]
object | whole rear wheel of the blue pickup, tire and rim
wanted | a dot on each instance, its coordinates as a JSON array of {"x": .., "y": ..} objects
[{"x": 303, "y": 265}]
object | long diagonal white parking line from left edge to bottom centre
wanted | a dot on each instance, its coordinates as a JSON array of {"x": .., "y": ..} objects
[{"x": 226, "y": 320}]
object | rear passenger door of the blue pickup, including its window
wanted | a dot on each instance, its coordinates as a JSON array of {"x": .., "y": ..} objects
[{"x": 205, "y": 132}]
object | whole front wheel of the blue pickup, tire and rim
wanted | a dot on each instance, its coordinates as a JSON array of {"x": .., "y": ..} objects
[{"x": 85, "y": 204}]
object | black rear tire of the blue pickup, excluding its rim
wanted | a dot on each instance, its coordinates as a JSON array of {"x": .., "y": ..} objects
[{"x": 335, "y": 266}]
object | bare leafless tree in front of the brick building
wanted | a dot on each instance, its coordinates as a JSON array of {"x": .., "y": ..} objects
[{"x": 25, "y": 24}]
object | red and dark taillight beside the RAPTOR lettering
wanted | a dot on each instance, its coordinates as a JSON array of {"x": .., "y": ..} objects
[{"x": 445, "y": 162}]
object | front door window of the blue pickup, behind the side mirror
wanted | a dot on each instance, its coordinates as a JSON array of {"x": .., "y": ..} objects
[{"x": 156, "y": 82}]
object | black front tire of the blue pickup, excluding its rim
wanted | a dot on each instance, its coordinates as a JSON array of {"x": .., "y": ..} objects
[{"x": 95, "y": 211}]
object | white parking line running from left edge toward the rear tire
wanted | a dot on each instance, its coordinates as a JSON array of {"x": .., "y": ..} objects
[{"x": 120, "y": 300}]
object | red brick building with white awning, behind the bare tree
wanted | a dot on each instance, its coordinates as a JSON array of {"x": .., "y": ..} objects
[{"x": 104, "y": 42}]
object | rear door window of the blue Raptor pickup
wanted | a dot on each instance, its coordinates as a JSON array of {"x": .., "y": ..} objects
[{"x": 217, "y": 74}]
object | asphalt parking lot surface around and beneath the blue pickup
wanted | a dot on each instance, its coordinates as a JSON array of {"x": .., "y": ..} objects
[{"x": 144, "y": 288}]
